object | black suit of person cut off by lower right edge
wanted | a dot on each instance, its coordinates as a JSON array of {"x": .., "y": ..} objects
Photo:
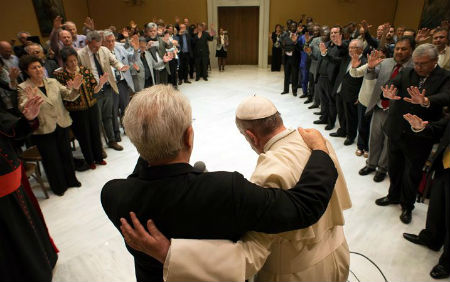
[{"x": 437, "y": 229}]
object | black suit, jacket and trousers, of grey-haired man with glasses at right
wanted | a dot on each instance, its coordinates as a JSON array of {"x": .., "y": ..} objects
[{"x": 408, "y": 151}]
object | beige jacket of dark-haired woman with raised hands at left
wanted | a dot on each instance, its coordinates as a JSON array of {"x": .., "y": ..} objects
[{"x": 52, "y": 111}]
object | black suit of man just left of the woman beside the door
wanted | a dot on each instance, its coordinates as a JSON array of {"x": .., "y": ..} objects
[{"x": 201, "y": 54}]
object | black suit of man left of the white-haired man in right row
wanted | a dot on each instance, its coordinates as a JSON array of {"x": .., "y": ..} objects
[{"x": 327, "y": 71}]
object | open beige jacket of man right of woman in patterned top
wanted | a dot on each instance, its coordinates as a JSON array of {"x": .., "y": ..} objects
[{"x": 107, "y": 59}]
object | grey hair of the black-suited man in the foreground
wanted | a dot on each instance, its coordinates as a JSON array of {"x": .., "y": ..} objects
[{"x": 156, "y": 120}]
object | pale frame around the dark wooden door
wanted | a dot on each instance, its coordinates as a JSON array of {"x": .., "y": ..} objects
[{"x": 264, "y": 8}]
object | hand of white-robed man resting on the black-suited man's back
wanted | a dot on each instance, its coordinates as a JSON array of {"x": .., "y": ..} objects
[{"x": 151, "y": 242}]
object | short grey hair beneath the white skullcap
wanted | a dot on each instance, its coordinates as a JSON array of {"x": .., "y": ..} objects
[{"x": 263, "y": 126}]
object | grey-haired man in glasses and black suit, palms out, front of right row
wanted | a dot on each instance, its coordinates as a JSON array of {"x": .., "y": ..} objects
[{"x": 422, "y": 91}]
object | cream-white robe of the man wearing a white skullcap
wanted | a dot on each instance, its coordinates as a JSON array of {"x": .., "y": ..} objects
[{"x": 316, "y": 253}]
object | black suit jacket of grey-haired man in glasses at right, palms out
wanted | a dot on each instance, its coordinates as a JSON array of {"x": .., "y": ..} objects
[{"x": 437, "y": 88}]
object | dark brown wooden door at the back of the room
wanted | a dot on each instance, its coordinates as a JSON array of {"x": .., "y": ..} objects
[{"x": 242, "y": 24}]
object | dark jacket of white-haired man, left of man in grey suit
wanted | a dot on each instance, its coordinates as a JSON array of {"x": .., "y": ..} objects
[{"x": 350, "y": 85}]
